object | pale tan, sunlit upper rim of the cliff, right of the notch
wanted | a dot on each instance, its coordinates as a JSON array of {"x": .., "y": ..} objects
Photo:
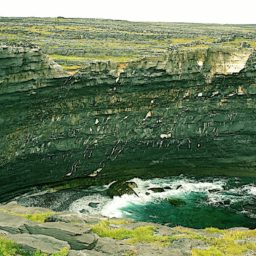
[{"x": 202, "y": 64}]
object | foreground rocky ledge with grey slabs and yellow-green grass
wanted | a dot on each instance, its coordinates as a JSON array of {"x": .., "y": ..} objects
[{"x": 67, "y": 233}]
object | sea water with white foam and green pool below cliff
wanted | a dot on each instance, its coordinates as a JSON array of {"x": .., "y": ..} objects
[{"x": 187, "y": 201}]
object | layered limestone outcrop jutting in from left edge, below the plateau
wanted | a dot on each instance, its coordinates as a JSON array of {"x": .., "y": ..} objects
[{"x": 23, "y": 68}]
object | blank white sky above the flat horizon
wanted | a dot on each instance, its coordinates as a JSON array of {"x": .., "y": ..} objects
[{"x": 197, "y": 11}]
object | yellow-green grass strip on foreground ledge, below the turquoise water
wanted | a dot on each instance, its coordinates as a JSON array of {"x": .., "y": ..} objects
[{"x": 217, "y": 242}]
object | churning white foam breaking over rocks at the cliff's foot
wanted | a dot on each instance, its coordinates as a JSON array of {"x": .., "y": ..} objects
[{"x": 173, "y": 187}]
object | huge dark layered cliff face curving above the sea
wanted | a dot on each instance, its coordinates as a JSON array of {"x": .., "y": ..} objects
[{"x": 191, "y": 111}]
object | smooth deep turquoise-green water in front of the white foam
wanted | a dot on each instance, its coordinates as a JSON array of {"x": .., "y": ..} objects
[{"x": 190, "y": 211}]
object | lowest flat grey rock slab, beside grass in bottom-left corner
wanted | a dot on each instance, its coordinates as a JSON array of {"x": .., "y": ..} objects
[{"x": 43, "y": 243}]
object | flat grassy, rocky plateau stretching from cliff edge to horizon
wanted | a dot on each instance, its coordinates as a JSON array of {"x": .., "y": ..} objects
[{"x": 75, "y": 42}]
